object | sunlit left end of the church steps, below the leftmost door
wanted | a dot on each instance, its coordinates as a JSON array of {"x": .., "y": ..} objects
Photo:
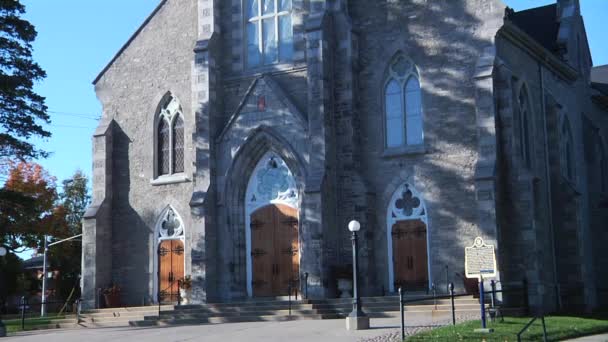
[{"x": 119, "y": 317}]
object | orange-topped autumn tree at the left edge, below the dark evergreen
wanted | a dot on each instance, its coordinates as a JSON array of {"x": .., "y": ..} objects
[{"x": 28, "y": 209}]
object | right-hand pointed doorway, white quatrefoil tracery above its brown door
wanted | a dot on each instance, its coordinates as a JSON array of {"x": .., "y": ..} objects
[{"x": 407, "y": 241}]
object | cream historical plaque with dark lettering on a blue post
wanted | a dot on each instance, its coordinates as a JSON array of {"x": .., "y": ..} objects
[{"x": 479, "y": 260}]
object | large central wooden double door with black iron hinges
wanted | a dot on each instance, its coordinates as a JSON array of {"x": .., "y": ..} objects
[{"x": 274, "y": 250}]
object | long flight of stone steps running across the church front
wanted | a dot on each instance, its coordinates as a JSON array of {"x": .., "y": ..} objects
[{"x": 277, "y": 309}]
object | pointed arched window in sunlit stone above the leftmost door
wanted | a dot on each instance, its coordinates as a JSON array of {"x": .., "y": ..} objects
[{"x": 169, "y": 138}]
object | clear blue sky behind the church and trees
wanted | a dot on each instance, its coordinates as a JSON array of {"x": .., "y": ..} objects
[{"x": 77, "y": 38}]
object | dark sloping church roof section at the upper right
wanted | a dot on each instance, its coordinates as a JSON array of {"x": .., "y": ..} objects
[{"x": 539, "y": 23}]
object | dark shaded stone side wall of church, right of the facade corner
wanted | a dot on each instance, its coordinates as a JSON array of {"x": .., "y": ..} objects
[{"x": 545, "y": 219}]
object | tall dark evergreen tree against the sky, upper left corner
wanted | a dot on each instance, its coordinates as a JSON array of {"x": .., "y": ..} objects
[{"x": 21, "y": 109}]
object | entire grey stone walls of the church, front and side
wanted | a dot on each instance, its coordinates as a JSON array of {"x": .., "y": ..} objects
[{"x": 323, "y": 114}]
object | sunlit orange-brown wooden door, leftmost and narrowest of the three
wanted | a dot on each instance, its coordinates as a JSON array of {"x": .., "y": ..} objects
[{"x": 171, "y": 269}]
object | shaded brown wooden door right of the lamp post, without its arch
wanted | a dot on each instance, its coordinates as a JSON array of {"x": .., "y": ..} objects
[{"x": 410, "y": 266}]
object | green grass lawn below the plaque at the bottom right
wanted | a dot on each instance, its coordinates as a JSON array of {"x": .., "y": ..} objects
[{"x": 558, "y": 328}]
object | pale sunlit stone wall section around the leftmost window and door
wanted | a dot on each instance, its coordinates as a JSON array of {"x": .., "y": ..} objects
[{"x": 157, "y": 61}]
